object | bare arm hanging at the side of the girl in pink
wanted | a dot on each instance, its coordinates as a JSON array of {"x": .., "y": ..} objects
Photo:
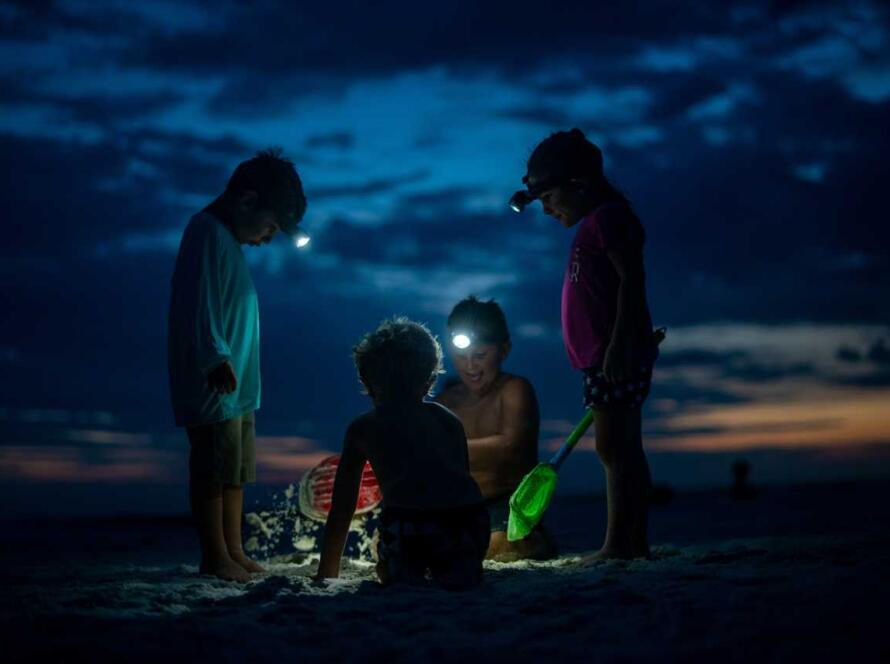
[{"x": 619, "y": 361}]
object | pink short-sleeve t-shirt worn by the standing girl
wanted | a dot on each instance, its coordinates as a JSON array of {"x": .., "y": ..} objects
[{"x": 590, "y": 286}]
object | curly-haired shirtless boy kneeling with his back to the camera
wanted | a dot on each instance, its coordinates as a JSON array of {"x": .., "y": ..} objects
[{"x": 434, "y": 522}]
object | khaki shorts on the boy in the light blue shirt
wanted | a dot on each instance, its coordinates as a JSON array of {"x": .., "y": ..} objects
[{"x": 224, "y": 452}]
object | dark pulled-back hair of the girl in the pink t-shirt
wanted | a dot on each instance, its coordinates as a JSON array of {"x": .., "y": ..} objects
[{"x": 565, "y": 155}]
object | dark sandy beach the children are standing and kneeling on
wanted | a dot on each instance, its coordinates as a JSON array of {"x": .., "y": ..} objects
[{"x": 796, "y": 582}]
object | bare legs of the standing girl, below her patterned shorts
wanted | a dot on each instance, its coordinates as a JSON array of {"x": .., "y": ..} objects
[{"x": 628, "y": 484}]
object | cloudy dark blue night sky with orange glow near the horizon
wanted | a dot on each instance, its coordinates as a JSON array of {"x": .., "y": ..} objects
[{"x": 752, "y": 142}]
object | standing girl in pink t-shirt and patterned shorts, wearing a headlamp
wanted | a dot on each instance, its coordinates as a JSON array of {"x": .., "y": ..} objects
[{"x": 606, "y": 325}]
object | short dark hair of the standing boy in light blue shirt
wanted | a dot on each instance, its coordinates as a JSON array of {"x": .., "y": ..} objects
[{"x": 276, "y": 183}]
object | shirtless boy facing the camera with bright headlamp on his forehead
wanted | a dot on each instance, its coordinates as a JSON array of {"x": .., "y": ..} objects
[{"x": 499, "y": 412}]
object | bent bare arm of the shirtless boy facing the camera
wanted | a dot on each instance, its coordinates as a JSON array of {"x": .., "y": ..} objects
[{"x": 519, "y": 435}]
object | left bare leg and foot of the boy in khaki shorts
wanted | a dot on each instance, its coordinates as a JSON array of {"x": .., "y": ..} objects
[{"x": 207, "y": 513}]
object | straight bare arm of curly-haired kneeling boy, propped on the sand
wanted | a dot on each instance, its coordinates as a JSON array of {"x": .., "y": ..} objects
[{"x": 345, "y": 495}]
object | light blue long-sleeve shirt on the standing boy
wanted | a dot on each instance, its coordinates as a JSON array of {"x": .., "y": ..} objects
[{"x": 214, "y": 317}]
